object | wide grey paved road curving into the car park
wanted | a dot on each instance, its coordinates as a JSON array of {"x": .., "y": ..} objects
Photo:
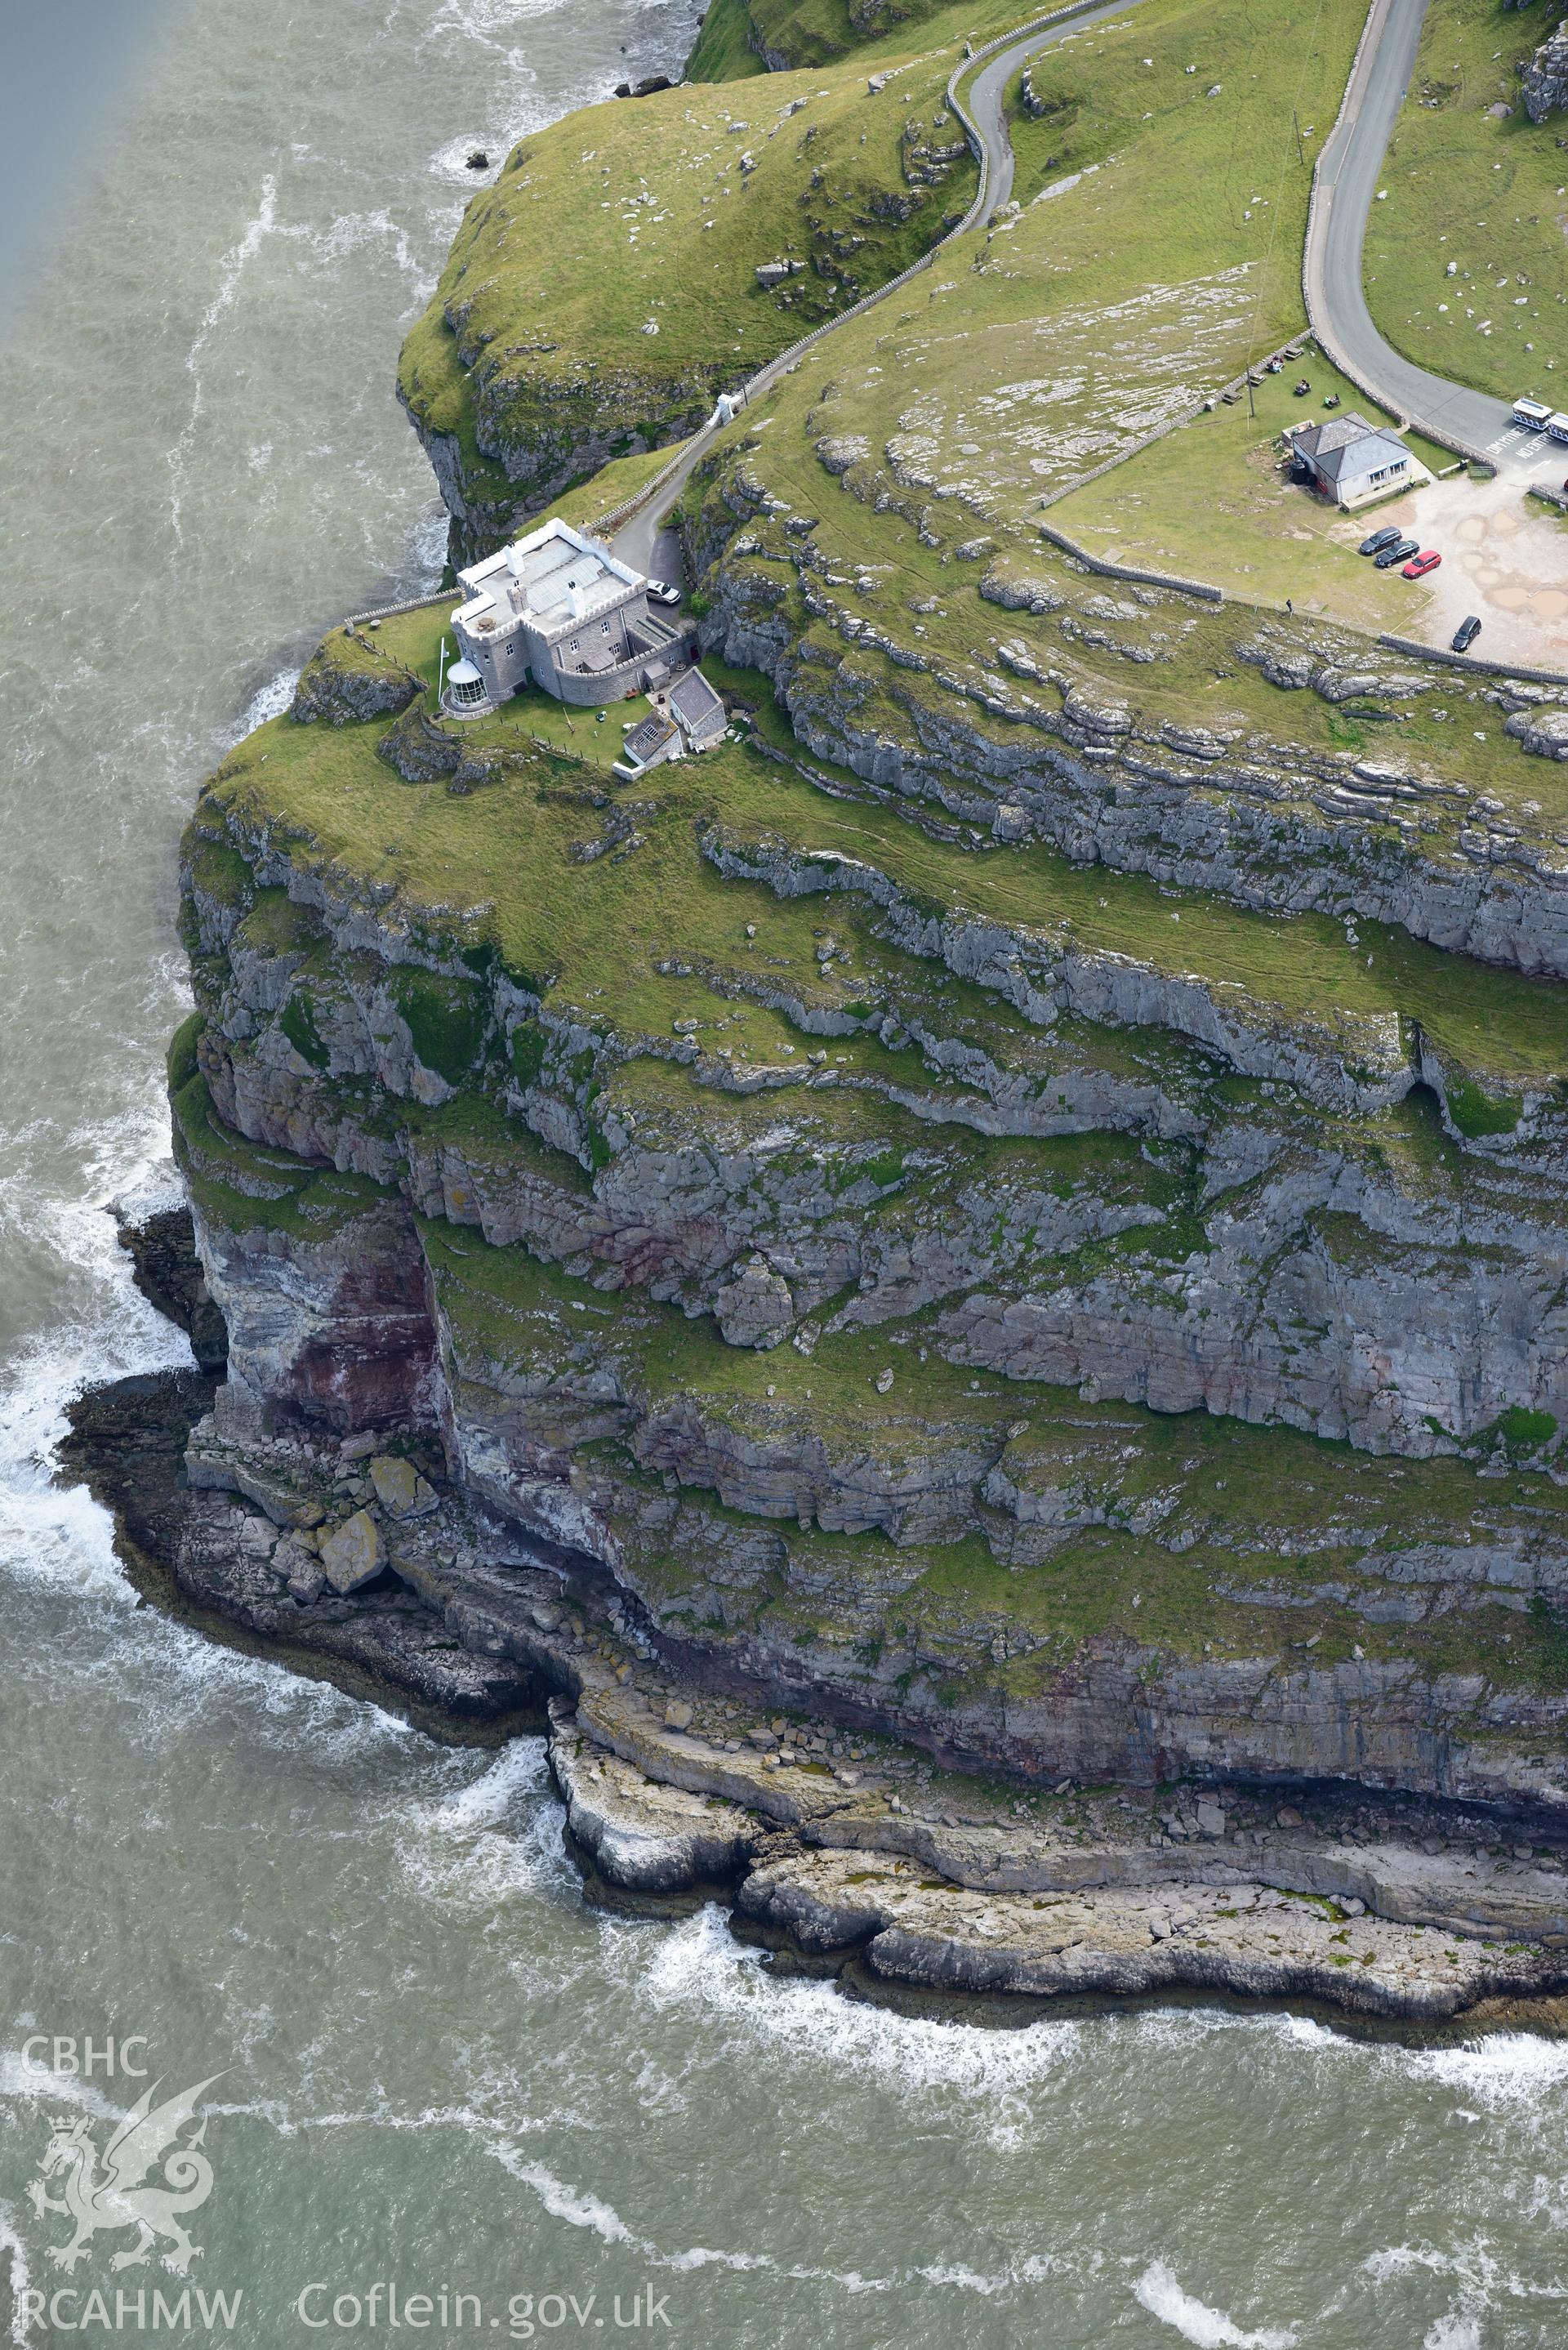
[{"x": 1336, "y": 300}]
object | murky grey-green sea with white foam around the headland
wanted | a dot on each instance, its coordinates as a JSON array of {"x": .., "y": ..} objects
[{"x": 450, "y": 2100}]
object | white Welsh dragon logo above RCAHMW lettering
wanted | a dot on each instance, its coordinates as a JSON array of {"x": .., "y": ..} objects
[{"x": 121, "y": 2194}]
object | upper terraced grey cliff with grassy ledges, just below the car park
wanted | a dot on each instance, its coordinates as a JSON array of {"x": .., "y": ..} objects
[{"x": 1033, "y": 751}]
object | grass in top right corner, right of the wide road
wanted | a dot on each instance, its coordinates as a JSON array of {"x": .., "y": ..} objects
[{"x": 1482, "y": 192}]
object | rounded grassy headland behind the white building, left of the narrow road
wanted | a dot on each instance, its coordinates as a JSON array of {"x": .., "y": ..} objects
[{"x": 605, "y": 290}]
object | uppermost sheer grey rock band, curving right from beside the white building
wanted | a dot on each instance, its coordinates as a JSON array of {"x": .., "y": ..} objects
[{"x": 1268, "y": 824}]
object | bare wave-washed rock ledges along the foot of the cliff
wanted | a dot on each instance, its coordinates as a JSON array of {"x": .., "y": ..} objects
[{"x": 934, "y": 1881}]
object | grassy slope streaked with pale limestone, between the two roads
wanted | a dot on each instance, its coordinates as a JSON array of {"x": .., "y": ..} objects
[{"x": 1158, "y": 246}]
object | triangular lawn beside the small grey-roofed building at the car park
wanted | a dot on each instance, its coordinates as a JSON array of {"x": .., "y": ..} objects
[{"x": 1217, "y": 504}]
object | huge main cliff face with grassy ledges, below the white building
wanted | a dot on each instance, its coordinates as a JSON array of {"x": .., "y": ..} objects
[{"x": 1064, "y": 1362}]
